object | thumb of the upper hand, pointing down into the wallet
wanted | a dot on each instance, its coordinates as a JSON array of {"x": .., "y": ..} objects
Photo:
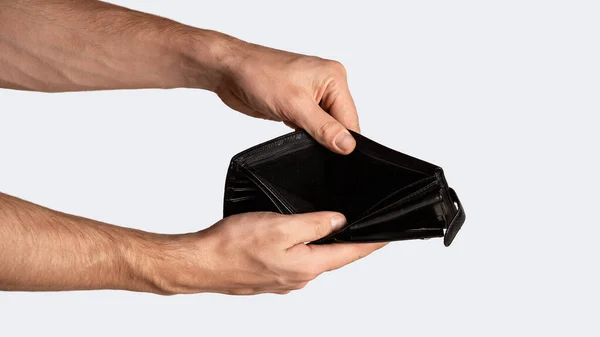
[{"x": 325, "y": 129}]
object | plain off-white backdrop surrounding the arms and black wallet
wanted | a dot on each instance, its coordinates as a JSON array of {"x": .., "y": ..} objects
[{"x": 504, "y": 95}]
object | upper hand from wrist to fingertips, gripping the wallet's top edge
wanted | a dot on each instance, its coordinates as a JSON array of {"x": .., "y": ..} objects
[{"x": 301, "y": 91}]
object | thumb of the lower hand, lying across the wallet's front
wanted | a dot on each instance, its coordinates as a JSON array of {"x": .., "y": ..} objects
[{"x": 309, "y": 227}]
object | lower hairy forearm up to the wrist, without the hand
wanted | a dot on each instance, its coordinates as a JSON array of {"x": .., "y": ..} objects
[{"x": 41, "y": 249}]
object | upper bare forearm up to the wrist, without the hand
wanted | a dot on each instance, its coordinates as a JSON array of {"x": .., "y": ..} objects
[{"x": 70, "y": 45}]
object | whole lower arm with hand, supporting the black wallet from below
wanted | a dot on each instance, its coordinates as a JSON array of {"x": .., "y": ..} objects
[{"x": 43, "y": 250}]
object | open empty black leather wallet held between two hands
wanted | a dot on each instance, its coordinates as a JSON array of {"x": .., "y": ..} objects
[{"x": 384, "y": 194}]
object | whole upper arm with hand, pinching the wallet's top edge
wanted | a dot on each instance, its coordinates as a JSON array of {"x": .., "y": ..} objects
[{"x": 105, "y": 53}]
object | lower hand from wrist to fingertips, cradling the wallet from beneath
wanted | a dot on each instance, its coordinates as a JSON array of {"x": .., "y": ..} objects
[{"x": 256, "y": 253}]
